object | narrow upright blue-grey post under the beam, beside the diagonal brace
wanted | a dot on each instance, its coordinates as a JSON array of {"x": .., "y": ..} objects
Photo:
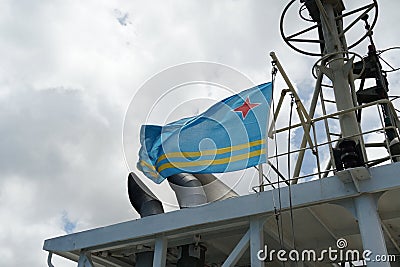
[{"x": 256, "y": 241}]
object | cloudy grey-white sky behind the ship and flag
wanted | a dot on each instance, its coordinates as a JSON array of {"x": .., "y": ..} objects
[{"x": 68, "y": 73}]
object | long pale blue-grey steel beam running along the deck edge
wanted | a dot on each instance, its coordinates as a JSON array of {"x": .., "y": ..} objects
[{"x": 218, "y": 214}]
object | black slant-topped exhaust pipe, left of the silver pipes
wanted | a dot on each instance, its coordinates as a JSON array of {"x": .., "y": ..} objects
[{"x": 146, "y": 204}]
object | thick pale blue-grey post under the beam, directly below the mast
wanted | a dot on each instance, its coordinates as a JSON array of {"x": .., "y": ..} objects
[{"x": 370, "y": 228}]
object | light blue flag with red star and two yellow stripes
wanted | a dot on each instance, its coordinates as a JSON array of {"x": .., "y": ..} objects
[{"x": 229, "y": 136}]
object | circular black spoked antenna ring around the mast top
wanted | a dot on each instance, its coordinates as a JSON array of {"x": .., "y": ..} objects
[{"x": 303, "y": 34}]
